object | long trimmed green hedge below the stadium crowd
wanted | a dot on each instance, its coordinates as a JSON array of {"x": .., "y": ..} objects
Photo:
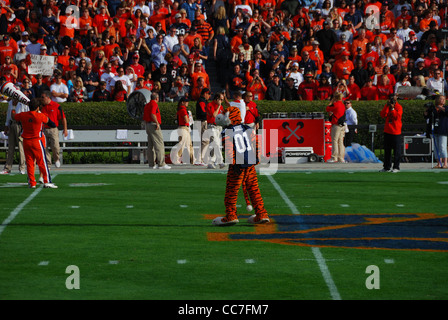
[{"x": 115, "y": 113}]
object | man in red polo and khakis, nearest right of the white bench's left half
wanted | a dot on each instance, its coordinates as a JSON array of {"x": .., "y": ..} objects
[{"x": 156, "y": 146}]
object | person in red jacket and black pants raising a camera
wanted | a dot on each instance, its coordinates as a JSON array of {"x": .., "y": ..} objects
[{"x": 393, "y": 113}]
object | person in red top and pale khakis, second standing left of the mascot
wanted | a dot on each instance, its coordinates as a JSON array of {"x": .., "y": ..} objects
[{"x": 183, "y": 130}]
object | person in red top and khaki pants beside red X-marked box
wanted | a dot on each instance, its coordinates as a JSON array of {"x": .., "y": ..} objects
[{"x": 336, "y": 111}]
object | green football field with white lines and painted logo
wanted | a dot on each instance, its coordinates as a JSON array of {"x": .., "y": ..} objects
[{"x": 147, "y": 235}]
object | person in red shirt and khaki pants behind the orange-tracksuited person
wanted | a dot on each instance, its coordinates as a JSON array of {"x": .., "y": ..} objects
[{"x": 53, "y": 111}]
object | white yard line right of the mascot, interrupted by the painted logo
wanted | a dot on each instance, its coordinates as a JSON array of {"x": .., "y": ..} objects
[{"x": 316, "y": 251}]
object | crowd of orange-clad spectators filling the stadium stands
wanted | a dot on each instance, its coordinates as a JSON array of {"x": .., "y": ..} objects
[{"x": 275, "y": 49}]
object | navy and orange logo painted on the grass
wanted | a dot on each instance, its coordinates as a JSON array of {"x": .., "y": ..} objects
[{"x": 405, "y": 231}]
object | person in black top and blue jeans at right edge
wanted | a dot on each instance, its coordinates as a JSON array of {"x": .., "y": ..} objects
[{"x": 436, "y": 116}]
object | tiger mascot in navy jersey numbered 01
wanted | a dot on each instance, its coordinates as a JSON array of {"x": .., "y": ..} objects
[{"x": 240, "y": 145}]
